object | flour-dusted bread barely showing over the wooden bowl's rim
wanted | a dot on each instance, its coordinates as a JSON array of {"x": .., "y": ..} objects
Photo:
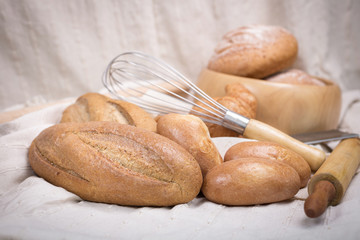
[{"x": 297, "y": 77}]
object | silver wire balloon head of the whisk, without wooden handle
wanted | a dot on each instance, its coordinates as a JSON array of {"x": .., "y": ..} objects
[{"x": 159, "y": 88}]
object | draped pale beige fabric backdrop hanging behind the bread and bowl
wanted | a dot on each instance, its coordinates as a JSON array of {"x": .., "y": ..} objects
[{"x": 56, "y": 49}]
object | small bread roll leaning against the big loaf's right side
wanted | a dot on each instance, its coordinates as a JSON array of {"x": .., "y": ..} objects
[{"x": 191, "y": 133}]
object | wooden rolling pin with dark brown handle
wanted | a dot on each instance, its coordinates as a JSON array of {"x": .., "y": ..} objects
[{"x": 329, "y": 183}]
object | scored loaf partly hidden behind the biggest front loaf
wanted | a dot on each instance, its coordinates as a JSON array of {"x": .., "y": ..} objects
[{"x": 98, "y": 107}]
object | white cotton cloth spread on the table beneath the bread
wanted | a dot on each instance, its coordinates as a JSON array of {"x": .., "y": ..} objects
[{"x": 32, "y": 208}]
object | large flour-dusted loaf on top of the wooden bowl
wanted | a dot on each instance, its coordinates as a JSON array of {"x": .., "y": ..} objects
[{"x": 254, "y": 51}]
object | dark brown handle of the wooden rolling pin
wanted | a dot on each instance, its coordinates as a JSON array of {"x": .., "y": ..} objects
[{"x": 316, "y": 204}]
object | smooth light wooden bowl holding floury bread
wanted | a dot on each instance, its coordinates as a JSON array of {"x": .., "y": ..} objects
[{"x": 290, "y": 108}]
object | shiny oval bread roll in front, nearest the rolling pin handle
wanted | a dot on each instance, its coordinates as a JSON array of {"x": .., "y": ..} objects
[{"x": 250, "y": 181}]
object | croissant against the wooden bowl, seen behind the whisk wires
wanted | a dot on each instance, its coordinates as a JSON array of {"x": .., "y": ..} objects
[{"x": 237, "y": 99}]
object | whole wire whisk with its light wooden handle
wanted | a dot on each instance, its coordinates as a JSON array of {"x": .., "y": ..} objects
[{"x": 159, "y": 88}]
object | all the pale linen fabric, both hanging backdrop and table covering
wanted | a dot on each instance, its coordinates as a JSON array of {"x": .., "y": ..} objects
[{"x": 57, "y": 50}]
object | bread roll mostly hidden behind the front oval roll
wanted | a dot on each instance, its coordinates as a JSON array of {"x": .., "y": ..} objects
[{"x": 272, "y": 151}]
